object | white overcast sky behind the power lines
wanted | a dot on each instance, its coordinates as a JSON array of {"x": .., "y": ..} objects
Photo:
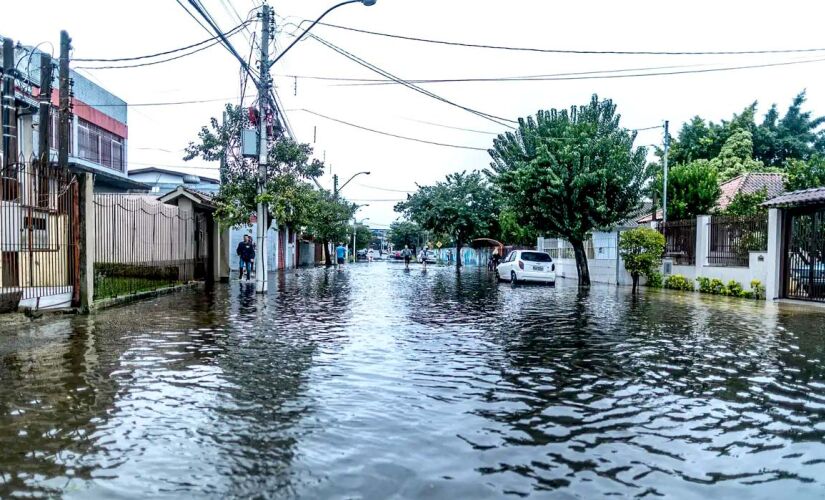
[{"x": 157, "y": 135}]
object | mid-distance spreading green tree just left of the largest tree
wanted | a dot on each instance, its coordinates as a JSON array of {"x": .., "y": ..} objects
[{"x": 463, "y": 205}]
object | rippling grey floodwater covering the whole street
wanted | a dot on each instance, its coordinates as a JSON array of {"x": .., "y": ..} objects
[{"x": 372, "y": 382}]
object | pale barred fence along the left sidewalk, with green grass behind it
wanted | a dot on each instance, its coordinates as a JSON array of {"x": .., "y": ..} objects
[{"x": 142, "y": 244}]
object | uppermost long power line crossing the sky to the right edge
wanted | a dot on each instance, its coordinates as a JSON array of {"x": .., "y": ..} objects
[{"x": 576, "y": 51}]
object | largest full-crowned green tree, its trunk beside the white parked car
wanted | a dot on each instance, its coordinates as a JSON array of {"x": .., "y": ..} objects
[{"x": 570, "y": 172}]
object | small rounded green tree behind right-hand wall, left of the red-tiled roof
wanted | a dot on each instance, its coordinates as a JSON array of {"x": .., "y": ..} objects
[{"x": 693, "y": 189}]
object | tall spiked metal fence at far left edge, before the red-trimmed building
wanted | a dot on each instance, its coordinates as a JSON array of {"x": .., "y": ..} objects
[{"x": 39, "y": 232}]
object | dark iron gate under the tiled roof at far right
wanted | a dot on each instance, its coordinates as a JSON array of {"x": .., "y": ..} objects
[{"x": 804, "y": 269}]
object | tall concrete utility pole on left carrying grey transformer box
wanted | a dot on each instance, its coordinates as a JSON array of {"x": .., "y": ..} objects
[{"x": 263, "y": 152}]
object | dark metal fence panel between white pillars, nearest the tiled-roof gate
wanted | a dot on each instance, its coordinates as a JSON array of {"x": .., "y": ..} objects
[{"x": 731, "y": 239}]
